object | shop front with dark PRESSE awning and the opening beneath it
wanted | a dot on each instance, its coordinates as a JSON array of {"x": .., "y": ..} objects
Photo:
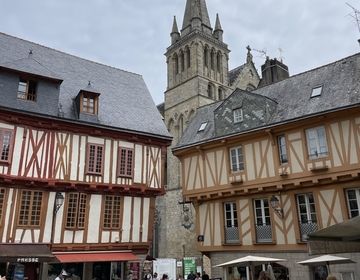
[{"x": 24, "y": 261}]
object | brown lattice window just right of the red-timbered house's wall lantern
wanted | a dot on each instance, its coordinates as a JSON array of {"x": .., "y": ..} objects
[{"x": 76, "y": 211}]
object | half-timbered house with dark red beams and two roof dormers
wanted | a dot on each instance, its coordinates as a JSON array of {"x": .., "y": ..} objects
[{"x": 82, "y": 149}]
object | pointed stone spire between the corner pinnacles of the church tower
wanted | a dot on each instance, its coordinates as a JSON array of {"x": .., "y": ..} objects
[{"x": 198, "y": 8}]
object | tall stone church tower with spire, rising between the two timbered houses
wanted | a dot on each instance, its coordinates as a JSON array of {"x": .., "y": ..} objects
[{"x": 197, "y": 74}]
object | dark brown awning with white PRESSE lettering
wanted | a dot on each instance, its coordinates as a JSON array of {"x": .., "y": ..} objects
[{"x": 26, "y": 253}]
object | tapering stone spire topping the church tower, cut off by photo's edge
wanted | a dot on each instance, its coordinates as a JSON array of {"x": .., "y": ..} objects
[{"x": 196, "y": 9}]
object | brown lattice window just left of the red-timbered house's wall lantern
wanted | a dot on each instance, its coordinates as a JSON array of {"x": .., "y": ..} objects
[{"x": 30, "y": 208}]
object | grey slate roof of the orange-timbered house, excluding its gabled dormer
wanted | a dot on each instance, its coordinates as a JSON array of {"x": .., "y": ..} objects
[{"x": 341, "y": 89}]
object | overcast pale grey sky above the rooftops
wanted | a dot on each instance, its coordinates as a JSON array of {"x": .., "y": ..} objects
[{"x": 133, "y": 34}]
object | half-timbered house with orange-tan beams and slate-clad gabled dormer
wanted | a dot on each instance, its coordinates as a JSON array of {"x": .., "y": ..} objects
[{"x": 266, "y": 168}]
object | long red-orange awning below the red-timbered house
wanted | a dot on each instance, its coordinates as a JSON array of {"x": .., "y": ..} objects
[{"x": 92, "y": 256}]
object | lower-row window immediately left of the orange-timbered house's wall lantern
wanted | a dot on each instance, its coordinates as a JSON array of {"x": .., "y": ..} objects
[{"x": 262, "y": 220}]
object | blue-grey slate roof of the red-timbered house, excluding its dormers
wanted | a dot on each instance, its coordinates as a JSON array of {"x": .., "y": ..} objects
[{"x": 125, "y": 102}]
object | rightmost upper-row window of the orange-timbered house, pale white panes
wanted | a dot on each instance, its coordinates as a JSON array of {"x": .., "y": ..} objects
[{"x": 316, "y": 140}]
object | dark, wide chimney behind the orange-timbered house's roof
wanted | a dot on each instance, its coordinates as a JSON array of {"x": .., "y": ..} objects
[{"x": 273, "y": 71}]
